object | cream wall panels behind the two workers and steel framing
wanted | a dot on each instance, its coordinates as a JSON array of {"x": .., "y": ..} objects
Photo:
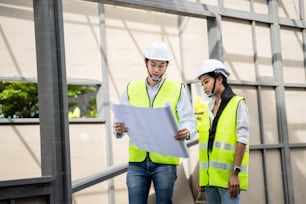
[{"x": 275, "y": 96}]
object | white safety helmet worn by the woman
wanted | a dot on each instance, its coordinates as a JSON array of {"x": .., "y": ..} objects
[{"x": 213, "y": 65}]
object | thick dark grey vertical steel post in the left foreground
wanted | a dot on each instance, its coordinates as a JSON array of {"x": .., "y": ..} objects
[{"x": 52, "y": 94}]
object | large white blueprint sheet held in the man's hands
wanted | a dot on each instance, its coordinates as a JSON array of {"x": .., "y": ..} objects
[{"x": 151, "y": 129}]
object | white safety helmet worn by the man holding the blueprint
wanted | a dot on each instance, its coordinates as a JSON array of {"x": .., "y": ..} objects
[{"x": 158, "y": 50}]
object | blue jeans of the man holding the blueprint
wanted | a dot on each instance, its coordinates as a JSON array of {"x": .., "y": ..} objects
[{"x": 139, "y": 178}]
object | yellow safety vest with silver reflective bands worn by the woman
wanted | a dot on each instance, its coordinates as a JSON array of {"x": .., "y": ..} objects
[{"x": 216, "y": 166}]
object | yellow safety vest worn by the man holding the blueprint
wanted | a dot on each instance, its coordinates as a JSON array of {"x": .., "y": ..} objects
[{"x": 169, "y": 92}]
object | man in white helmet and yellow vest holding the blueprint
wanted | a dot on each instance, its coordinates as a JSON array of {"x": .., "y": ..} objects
[{"x": 154, "y": 91}]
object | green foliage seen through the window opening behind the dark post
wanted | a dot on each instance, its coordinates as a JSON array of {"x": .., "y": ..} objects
[{"x": 19, "y": 100}]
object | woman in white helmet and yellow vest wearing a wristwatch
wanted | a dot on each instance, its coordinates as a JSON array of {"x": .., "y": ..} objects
[{"x": 223, "y": 138}]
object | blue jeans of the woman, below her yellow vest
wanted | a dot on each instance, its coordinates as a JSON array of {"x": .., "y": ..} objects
[{"x": 218, "y": 195}]
